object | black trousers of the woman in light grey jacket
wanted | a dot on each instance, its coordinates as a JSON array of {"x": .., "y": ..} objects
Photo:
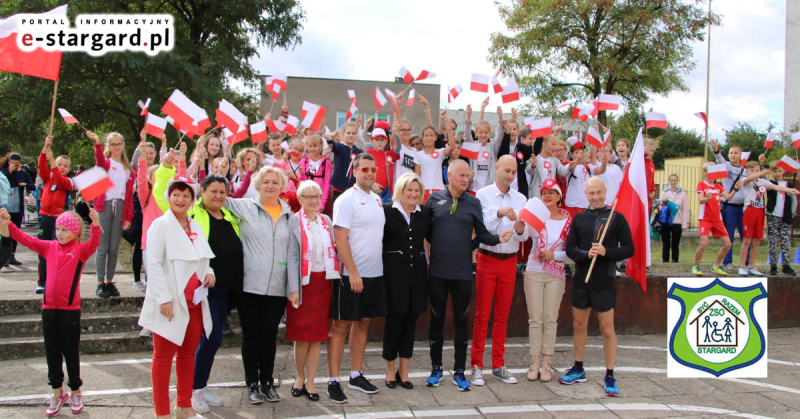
[{"x": 259, "y": 316}]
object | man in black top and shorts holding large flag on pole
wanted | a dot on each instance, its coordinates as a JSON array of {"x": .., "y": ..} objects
[{"x": 598, "y": 293}]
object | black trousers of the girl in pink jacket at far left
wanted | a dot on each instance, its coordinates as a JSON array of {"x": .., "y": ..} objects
[{"x": 62, "y": 337}]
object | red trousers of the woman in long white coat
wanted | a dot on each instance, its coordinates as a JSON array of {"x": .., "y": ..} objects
[{"x": 163, "y": 353}]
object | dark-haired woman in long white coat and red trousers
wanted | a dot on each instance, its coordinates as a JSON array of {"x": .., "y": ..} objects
[{"x": 176, "y": 306}]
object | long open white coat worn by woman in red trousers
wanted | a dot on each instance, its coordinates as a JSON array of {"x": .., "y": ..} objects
[{"x": 172, "y": 258}]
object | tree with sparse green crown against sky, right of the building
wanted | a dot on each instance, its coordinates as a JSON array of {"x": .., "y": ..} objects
[{"x": 563, "y": 49}]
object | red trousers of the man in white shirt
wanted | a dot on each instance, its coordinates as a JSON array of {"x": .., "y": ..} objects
[{"x": 495, "y": 280}]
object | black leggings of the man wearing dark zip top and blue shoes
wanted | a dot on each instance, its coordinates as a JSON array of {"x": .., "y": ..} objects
[{"x": 461, "y": 291}]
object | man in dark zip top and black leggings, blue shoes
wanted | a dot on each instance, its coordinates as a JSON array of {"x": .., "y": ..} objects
[{"x": 455, "y": 214}]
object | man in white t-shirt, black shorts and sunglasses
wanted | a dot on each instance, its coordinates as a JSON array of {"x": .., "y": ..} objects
[{"x": 359, "y": 294}]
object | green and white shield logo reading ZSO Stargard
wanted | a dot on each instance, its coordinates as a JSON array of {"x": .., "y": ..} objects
[{"x": 716, "y": 327}]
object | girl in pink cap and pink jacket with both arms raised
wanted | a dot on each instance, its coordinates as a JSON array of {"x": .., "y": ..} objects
[{"x": 61, "y": 303}]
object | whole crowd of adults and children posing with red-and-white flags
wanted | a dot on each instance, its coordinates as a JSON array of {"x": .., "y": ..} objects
[{"x": 333, "y": 231}]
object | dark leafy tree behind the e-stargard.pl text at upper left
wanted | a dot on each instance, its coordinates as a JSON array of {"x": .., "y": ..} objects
[{"x": 214, "y": 41}]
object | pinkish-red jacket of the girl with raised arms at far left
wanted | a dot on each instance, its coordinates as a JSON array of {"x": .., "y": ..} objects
[{"x": 64, "y": 266}]
